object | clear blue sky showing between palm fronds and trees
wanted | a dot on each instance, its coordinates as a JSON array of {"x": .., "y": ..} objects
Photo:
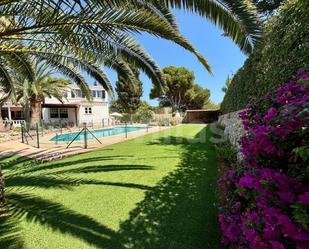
[{"x": 222, "y": 54}]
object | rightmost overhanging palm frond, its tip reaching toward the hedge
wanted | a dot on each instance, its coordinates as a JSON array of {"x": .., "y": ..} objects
[{"x": 238, "y": 18}]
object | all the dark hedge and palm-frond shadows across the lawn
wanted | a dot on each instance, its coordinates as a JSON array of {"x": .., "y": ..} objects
[{"x": 179, "y": 213}]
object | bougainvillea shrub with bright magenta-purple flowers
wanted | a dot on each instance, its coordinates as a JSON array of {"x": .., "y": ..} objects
[{"x": 268, "y": 199}]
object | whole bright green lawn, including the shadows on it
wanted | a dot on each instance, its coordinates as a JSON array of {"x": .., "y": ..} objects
[{"x": 155, "y": 192}]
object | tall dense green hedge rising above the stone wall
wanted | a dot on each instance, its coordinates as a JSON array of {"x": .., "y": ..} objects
[{"x": 284, "y": 49}]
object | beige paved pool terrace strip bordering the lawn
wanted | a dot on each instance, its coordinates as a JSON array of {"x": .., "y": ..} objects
[{"x": 51, "y": 151}]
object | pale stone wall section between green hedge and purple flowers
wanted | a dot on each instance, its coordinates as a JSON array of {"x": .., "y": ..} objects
[{"x": 233, "y": 127}]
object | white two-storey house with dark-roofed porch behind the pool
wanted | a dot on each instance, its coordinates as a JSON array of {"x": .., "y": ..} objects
[{"x": 73, "y": 111}]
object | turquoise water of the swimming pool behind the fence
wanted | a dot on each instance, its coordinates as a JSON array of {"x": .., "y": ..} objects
[{"x": 98, "y": 133}]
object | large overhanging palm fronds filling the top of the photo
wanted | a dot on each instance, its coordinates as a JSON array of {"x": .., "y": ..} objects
[{"x": 70, "y": 32}]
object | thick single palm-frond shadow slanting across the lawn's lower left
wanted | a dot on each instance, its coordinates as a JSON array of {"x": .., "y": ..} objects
[{"x": 62, "y": 219}]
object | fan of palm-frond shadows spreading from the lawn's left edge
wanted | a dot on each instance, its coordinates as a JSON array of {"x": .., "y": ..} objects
[{"x": 22, "y": 177}]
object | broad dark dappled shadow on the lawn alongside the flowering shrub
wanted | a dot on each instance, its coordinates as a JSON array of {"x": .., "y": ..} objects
[{"x": 181, "y": 211}]
